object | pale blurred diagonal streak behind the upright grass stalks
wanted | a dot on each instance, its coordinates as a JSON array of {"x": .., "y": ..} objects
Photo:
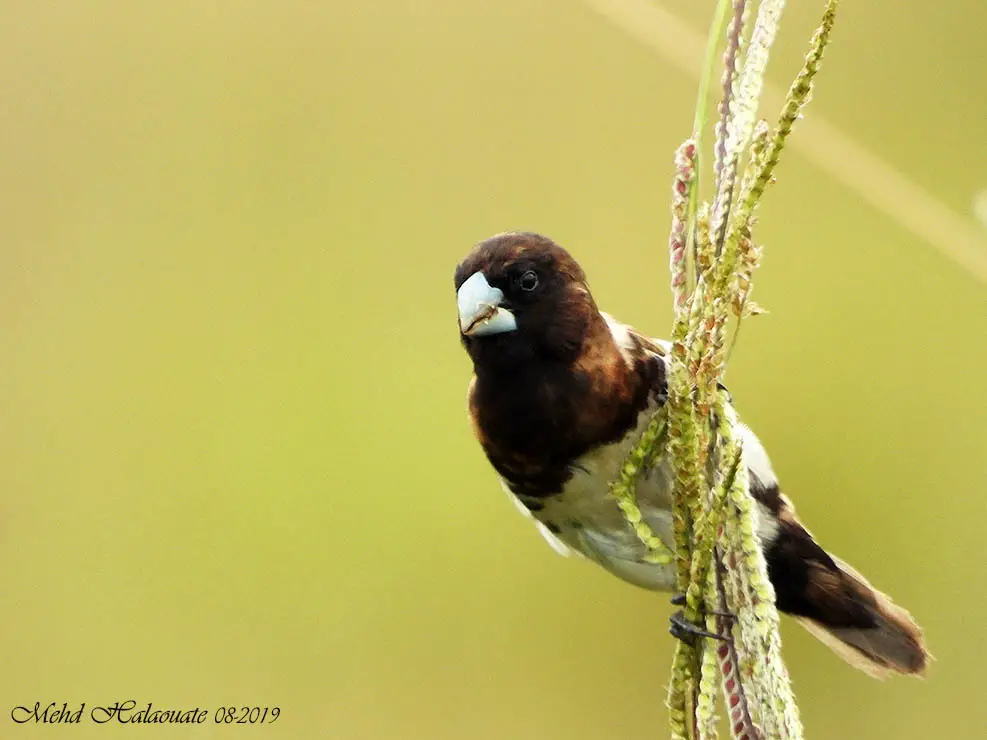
[{"x": 820, "y": 142}]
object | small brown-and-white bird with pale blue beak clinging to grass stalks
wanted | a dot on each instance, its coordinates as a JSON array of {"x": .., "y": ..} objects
[{"x": 560, "y": 394}]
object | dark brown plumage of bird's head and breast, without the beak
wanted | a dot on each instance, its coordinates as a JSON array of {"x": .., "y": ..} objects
[{"x": 543, "y": 396}]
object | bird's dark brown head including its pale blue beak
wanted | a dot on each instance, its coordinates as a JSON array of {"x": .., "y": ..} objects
[{"x": 522, "y": 298}]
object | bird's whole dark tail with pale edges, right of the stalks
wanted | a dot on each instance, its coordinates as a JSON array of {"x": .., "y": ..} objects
[{"x": 838, "y": 605}]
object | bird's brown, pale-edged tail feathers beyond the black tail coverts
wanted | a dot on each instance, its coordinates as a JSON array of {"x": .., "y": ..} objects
[{"x": 892, "y": 644}]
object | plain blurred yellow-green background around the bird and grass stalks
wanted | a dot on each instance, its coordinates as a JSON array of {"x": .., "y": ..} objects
[{"x": 235, "y": 465}]
